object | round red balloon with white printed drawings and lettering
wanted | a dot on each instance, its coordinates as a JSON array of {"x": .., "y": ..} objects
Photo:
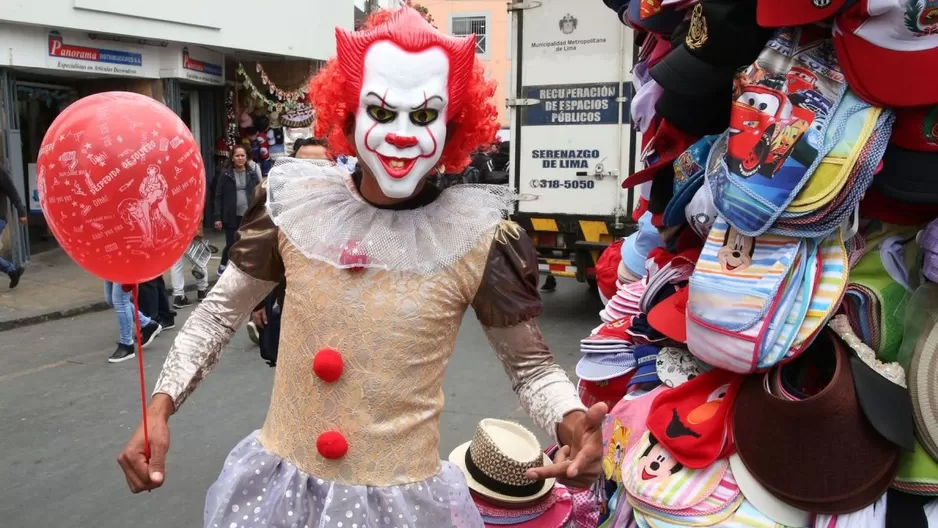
[{"x": 122, "y": 185}]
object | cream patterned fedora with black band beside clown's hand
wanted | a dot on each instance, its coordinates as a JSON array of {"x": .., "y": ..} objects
[{"x": 496, "y": 460}]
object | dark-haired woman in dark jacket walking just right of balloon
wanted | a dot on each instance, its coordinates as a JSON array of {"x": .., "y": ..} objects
[{"x": 233, "y": 193}]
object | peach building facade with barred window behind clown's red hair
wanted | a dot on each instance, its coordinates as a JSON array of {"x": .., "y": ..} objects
[{"x": 490, "y": 21}]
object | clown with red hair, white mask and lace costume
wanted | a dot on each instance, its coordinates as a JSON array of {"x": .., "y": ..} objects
[{"x": 380, "y": 268}]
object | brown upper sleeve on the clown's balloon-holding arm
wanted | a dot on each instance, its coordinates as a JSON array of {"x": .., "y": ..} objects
[{"x": 256, "y": 250}]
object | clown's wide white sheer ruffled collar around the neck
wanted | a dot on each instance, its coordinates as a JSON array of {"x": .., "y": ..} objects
[{"x": 316, "y": 205}]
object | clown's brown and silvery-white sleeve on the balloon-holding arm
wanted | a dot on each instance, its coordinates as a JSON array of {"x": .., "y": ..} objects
[{"x": 255, "y": 268}]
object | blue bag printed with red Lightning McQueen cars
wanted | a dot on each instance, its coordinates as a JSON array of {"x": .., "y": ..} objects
[{"x": 778, "y": 123}]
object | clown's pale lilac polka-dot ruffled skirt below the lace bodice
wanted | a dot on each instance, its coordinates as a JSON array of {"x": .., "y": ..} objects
[{"x": 258, "y": 489}]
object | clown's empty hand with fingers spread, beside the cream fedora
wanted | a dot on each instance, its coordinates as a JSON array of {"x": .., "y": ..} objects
[{"x": 579, "y": 463}]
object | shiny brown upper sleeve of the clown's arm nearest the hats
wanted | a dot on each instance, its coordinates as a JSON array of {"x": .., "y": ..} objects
[{"x": 508, "y": 294}]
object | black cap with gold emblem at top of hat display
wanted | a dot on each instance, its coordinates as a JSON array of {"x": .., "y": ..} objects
[{"x": 718, "y": 38}]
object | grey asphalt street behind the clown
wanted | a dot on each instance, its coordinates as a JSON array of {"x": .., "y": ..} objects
[{"x": 65, "y": 413}]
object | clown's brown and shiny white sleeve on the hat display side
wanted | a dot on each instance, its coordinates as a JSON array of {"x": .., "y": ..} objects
[{"x": 506, "y": 304}]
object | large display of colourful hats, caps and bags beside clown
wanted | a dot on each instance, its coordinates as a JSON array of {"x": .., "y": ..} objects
[{"x": 799, "y": 354}]
